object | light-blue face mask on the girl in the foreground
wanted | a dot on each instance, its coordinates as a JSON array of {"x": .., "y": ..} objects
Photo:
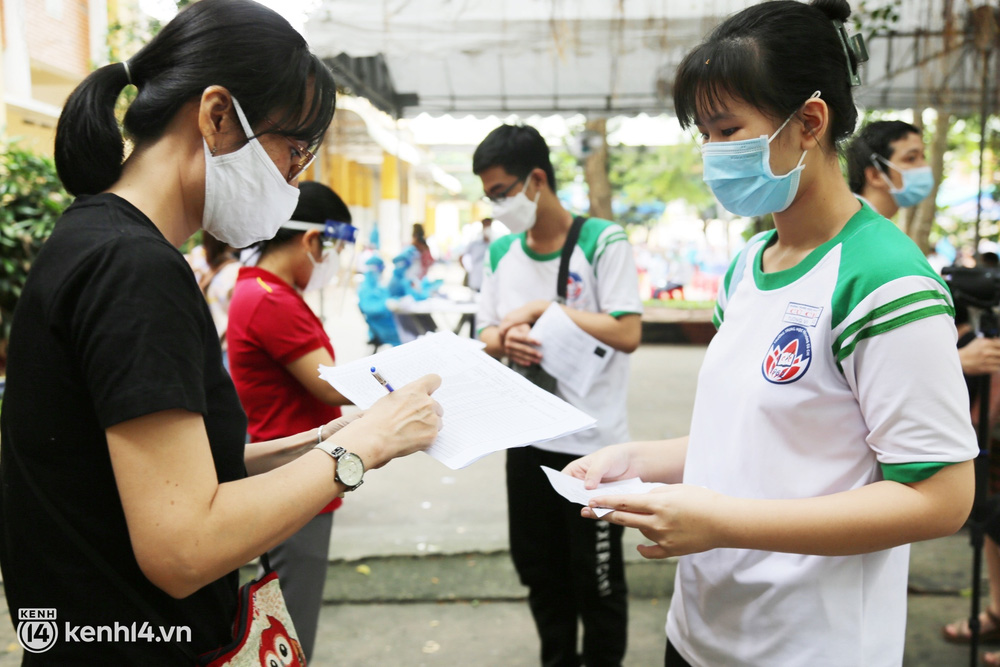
[{"x": 739, "y": 174}]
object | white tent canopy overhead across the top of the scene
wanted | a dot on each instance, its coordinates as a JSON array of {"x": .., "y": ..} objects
[{"x": 603, "y": 57}]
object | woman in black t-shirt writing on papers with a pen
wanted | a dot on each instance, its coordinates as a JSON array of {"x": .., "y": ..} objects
[{"x": 121, "y": 432}]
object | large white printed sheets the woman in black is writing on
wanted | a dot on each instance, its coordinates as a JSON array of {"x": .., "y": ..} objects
[{"x": 487, "y": 406}]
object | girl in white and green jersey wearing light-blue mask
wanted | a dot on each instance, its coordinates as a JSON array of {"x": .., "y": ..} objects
[{"x": 831, "y": 422}]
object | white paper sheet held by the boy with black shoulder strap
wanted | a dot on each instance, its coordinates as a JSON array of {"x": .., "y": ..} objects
[{"x": 569, "y": 354}]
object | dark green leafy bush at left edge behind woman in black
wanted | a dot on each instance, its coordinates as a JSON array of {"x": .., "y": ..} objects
[{"x": 31, "y": 200}]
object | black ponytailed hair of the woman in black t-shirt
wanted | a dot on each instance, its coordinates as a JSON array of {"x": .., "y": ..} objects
[{"x": 238, "y": 44}]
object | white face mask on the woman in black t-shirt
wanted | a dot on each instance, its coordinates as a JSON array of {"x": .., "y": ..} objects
[{"x": 246, "y": 197}]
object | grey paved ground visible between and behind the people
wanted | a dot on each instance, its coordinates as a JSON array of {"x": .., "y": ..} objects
[{"x": 419, "y": 572}]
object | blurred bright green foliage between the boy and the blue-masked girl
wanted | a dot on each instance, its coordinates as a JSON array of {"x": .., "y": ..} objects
[{"x": 644, "y": 174}]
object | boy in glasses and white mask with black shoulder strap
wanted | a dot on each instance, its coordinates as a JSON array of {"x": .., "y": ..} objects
[{"x": 572, "y": 567}]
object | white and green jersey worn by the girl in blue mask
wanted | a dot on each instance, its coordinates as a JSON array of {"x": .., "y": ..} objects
[{"x": 818, "y": 378}]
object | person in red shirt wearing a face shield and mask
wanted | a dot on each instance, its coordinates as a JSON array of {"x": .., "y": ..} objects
[{"x": 276, "y": 342}]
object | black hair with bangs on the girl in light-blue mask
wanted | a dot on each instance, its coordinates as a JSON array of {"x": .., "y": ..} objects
[{"x": 773, "y": 56}]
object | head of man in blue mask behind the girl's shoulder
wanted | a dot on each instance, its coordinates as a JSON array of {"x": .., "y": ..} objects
[{"x": 887, "y": 166}]
